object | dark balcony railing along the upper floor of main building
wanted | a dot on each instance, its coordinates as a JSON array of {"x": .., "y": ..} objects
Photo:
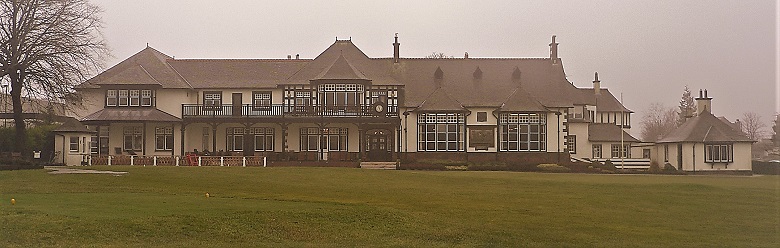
[{"x": 249, "y": 110}]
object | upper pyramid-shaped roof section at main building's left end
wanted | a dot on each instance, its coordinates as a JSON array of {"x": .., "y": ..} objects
[{"x": 148, "y": 66}]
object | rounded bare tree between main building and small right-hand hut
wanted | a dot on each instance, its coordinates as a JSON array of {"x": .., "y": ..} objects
[{"x": 657, "y": 122}]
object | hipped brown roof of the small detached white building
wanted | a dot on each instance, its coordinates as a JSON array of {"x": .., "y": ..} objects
[{"x": 705, "y": 128}]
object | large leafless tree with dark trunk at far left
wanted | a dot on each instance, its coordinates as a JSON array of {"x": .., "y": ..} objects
[{"x": 46, "y": 48}]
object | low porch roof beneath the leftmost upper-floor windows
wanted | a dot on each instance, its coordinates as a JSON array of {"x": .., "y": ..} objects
[{"x": 130, "y": 115}]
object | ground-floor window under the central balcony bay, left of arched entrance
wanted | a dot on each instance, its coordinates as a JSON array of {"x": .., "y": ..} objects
[{"x": 333, "y": 139}]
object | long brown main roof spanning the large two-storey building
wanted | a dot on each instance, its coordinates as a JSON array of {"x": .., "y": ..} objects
[{"x": 495, "y": 81}]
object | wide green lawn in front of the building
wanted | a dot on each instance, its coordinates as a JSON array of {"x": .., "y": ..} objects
[{"x": 167, "y": 207}]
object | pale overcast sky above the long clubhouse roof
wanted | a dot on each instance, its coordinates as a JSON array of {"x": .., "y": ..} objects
[{"x": 646, "y": 50}]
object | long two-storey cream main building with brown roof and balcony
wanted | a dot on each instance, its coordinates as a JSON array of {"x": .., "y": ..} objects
[{"x": 346, "y": 106}]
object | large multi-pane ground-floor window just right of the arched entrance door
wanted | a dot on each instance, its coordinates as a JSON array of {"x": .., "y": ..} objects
[{"x": 440, "y": 132}]
